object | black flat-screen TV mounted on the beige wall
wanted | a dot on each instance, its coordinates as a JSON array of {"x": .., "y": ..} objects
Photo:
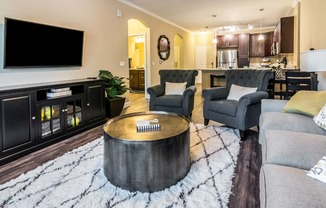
[{"x": 29, "y": 45}]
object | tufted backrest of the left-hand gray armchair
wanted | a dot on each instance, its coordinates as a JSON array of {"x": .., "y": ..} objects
[{"x": 178, "y": 76}]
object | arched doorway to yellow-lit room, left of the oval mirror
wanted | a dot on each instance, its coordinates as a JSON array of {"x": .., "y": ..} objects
[{"x": 139, "y": 56}]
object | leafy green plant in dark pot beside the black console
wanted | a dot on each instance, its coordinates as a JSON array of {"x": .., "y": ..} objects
[{"x": 114, "y": 88}]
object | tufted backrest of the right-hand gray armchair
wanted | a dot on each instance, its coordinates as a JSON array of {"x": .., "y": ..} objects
[{"x": 248, "y": 78}]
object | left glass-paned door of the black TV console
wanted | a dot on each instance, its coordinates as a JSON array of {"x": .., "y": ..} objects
[{"x": 50, "y": 120}]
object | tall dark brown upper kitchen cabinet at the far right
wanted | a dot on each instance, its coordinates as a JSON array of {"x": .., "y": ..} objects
[{"x": 284, "y": 35}]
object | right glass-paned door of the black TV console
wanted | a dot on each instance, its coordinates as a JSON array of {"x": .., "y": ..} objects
[{"x": 74, "y": 113}]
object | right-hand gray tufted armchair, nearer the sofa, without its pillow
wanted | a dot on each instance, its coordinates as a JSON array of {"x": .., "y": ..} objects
[{"x": 242, "y": 114}]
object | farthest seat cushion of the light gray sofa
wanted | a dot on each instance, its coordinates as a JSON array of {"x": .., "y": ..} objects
[{"x": 287, "y": 121}]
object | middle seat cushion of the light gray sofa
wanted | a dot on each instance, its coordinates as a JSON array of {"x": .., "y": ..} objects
[{"x": 296, "y": 149}]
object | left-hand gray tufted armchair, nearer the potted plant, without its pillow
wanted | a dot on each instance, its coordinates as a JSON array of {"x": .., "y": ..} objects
[{"x": 181, "y": 104}]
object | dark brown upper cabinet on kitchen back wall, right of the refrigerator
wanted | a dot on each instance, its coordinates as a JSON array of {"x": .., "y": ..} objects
[{"x": 261, "y": 48}]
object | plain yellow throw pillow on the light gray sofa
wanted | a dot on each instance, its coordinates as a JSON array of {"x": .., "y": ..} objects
[{"x": 304, "y": 102}]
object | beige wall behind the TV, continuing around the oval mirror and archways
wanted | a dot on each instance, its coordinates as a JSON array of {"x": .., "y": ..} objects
[{"x": 106, "y": 37}]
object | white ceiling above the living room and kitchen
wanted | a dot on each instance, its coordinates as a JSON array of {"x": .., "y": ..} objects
[{"x": 196, "y": 15}]
